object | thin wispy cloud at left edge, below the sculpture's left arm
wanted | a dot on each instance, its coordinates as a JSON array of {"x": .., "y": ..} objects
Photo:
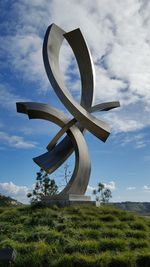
[{"x": 16, "y": 141}]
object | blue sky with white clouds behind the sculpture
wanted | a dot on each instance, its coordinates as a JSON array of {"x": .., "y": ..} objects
[{"x": 117, "y": 33}]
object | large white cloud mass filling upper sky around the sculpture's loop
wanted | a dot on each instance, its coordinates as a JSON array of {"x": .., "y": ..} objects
[{"x": 118, "y": 35}]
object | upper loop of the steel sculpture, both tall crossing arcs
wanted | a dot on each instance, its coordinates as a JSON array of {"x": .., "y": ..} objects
[{"x": 51, "y": 50}]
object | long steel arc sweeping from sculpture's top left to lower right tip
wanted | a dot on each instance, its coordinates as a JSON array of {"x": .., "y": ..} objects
[{"x": 51, "y": 47}]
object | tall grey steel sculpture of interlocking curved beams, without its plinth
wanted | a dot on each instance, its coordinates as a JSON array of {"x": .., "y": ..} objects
[{"x": 74, "y": 140}]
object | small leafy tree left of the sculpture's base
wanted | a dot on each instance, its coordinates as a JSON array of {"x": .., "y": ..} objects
[{"x": 44, "y": 187}]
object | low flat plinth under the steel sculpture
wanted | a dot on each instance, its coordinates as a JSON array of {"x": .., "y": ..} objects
[{"x": 67, "y": 200}]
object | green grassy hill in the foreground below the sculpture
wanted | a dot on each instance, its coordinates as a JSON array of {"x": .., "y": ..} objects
[{"x": 75, "y": 236}]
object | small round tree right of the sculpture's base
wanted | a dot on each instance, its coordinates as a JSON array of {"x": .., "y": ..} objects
[{"x": 102, "y": 194}]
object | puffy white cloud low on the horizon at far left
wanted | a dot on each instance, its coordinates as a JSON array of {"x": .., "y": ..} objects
[{"x": 17, "y": 192}]
